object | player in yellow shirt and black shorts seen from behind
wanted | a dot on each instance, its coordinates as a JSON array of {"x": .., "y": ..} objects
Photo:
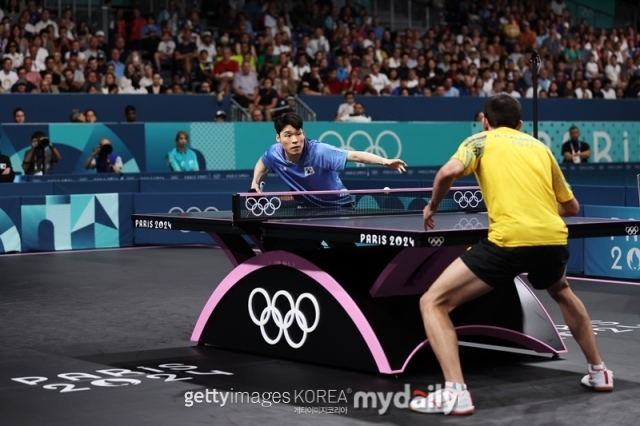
[{"x": 526, "y": 196}]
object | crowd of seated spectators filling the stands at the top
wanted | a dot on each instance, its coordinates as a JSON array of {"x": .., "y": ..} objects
[{"x": 265, "y": 52}]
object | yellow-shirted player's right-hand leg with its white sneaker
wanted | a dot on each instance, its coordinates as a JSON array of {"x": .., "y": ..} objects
[{"x": 577, "y": 319}]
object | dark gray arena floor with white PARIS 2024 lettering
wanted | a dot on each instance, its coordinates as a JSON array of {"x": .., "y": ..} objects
[{"x": 100, "y": 312}]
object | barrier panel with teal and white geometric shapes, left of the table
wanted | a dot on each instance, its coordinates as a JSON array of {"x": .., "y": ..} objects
[{"x": 75, "y": 222}]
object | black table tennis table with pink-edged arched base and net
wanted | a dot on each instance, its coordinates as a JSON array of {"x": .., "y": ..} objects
[{"x": 340, "y": 284}]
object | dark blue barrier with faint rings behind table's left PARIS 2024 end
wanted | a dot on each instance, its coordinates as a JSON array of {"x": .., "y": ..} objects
[{"x": 186, "y": 202}]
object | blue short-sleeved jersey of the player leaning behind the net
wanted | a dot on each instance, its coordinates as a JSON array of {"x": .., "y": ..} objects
[{"x": 317, "y": 170}]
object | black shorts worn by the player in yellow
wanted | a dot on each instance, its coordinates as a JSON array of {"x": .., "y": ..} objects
[{"x": 498, "y": 266}]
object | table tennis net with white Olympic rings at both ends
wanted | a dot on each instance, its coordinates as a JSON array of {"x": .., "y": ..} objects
[{"x": 268, "y": 206}]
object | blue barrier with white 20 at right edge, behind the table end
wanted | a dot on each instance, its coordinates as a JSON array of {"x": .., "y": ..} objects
[{"x": 617, "y": 257}]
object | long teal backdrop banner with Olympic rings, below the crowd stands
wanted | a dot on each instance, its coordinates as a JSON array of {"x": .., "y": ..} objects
[{"x": 237, "y": 146}]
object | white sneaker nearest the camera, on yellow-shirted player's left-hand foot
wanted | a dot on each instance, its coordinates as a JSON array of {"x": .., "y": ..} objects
[{"x": 444, "y": 401}]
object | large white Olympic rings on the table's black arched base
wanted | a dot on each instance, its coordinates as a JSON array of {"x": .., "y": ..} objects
[{"x": 284, "y": 322}]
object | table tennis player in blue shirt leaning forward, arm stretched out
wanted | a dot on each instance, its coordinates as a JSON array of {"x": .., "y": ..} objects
[{"x": 309, "y": 165}]
